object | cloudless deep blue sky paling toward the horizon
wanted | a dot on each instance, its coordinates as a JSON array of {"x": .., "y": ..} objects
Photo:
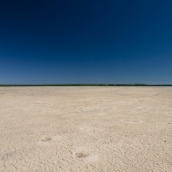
[{"x": 85, "y": 41}]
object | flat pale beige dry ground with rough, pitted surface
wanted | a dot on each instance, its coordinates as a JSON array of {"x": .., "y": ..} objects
[{"x": 80, "y": 129}]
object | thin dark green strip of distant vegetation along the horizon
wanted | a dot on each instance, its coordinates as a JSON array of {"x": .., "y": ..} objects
[{"x": 39, "y": 85}]
